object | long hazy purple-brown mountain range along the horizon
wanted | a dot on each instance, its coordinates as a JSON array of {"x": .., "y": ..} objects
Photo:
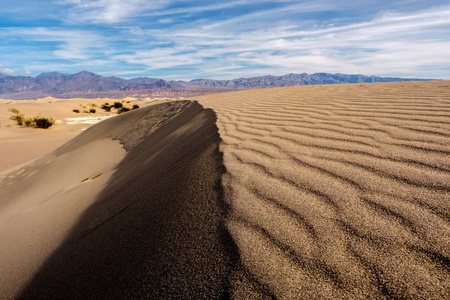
[{"x": 89, "y": 85}]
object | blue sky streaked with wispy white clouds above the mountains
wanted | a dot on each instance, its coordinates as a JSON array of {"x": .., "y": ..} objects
[{"x": 187, "y": 39}]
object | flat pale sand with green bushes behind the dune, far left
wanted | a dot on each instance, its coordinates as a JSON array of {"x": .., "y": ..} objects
[{"x": 20, "y": 144}]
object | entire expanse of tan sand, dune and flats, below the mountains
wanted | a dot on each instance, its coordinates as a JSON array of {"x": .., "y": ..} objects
[{"x": 312, "y": 192}]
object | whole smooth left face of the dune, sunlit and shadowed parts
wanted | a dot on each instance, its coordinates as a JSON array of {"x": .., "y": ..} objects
[{"x": 148, "y": 225}]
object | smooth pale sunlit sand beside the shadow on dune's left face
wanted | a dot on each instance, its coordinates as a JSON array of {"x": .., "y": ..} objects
[{"x": 43, "y": 200}]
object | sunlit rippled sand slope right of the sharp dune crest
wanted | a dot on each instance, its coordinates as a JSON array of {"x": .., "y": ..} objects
[{"x": 339, "y": 192}]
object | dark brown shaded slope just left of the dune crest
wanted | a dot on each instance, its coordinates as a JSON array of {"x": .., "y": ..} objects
[{"x": 156, "y": 229}]
